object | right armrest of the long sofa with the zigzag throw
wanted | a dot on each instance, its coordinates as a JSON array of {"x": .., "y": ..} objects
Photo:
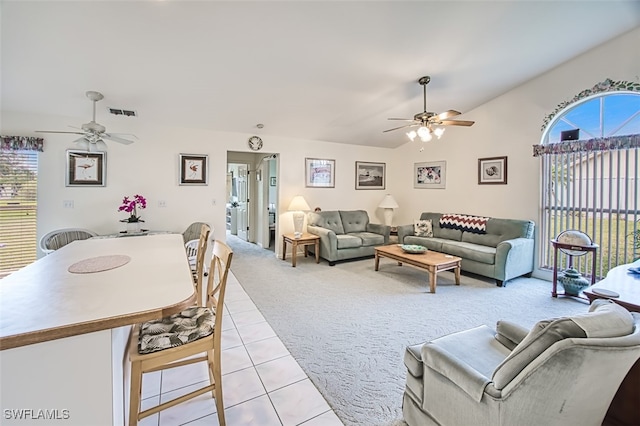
[{"x": 514, "y": 258}]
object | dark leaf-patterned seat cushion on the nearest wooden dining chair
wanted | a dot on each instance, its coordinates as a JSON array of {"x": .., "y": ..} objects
[{"x": 175, "y": 330}]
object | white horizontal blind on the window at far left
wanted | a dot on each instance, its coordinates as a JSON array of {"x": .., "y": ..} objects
[{"x": 18, "y": 207}]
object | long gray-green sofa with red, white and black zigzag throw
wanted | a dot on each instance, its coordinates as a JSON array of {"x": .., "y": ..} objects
[{"x": 504, "y": 250}]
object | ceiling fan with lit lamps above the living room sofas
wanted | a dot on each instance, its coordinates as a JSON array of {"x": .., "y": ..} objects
[{"x": 428, "y": 121}]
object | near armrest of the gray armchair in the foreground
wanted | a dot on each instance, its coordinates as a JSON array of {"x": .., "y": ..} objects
[{"x": 467, "y": 378}]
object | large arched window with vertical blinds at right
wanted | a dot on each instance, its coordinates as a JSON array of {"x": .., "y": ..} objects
[{"x": 590, "y": 162}]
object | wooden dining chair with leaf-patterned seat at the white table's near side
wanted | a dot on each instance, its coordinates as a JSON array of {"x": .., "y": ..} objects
[{"x": 168, "y": 342}]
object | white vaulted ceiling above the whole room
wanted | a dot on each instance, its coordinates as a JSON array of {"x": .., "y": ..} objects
[{"x": 325, "y": 70}]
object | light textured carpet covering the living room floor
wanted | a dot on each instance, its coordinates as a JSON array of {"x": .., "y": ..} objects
[{"x": 348, "y": 326}]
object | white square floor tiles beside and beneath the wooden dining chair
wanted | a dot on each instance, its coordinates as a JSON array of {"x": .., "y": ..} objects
[{"x": 262, "y": 383}]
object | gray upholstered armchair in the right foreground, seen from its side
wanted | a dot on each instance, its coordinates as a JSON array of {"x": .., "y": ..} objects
[{"x": 564, "y": 371}]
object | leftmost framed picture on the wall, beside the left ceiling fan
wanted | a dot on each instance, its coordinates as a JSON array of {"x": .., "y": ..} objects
[{"x": 86, "y": 168}]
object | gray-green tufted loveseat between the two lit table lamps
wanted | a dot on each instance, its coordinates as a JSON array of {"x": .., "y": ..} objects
[{"x": 346, "y": 234}]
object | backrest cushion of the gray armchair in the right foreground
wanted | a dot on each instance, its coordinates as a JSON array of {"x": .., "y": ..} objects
[{"x": 604, "y": 319}]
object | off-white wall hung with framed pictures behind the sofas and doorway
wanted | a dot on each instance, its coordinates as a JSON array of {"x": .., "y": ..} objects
[{"x": 508, "y": 125}]
